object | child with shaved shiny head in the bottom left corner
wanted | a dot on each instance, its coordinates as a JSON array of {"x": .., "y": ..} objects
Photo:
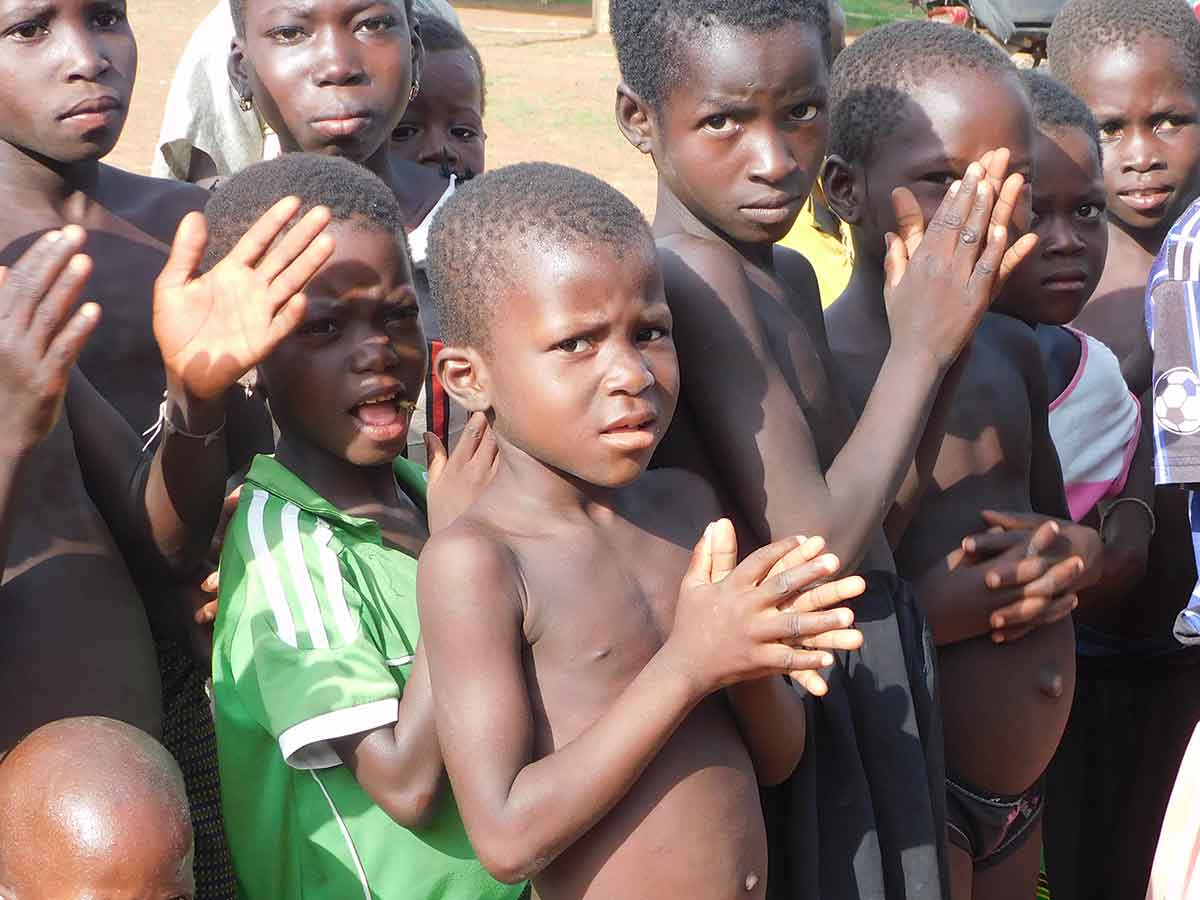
[{"x": 93, "y": 808}]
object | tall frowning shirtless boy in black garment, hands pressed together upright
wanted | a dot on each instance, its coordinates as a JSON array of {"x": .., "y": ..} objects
[{"x": 731, "y": 103}]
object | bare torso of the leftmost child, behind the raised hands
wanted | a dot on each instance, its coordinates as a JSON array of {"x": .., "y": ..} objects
[{"x": 76, "y": 639}]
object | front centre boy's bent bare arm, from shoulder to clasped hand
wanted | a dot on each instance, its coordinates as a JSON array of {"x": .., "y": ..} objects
[{"x": 521, "y": 813}]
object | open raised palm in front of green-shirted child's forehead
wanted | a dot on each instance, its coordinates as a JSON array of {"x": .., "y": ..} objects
[{"x": 214, "y": 328}]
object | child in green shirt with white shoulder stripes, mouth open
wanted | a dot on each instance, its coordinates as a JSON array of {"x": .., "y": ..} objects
[{"x": 329, "y": 761}]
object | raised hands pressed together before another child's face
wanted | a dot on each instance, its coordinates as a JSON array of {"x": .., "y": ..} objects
[{"x": 943, "y": 277}]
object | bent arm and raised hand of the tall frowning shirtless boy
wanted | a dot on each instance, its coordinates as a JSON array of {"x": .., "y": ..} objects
[{"x": 772, "y": 460}]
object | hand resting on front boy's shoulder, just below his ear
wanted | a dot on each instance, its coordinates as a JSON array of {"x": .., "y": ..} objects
[{"x": 457, "y": 481}]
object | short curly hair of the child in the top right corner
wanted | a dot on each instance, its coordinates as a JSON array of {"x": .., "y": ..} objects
[{"x": 1083, "y": 27}]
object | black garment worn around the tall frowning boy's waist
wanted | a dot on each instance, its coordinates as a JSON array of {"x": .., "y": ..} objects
[{"x": 863, "y": 818}]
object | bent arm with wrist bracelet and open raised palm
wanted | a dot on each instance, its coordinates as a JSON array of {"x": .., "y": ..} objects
[{"x": 212, "y": 329}]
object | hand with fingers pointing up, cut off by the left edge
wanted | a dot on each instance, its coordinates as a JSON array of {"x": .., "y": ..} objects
[{"x": 41, "y": 334}]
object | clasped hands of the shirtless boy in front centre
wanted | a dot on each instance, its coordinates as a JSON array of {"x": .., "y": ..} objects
[{"x": 766, "y": 617}]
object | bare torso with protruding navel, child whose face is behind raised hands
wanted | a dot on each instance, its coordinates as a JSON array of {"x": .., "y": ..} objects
[{"x": 1001, "y": 728}]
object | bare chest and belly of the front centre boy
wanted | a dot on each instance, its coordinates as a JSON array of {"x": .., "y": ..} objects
[{"x": 601, "y": 603}]
